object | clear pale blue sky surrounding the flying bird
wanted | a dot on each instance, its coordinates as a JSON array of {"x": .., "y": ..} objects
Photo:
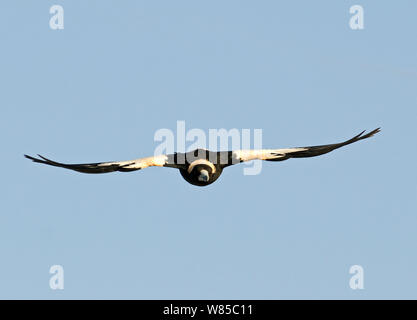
[{"x": 99, "y": 89}]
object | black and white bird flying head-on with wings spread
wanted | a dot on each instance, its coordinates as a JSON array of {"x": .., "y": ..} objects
[{"x": 202, "y": 167}]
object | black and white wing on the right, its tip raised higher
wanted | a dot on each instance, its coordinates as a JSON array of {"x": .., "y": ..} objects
[{"x": 300, "y": 152}]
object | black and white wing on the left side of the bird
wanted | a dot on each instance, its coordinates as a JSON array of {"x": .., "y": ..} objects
[{"x": 103, "y": 167}]
